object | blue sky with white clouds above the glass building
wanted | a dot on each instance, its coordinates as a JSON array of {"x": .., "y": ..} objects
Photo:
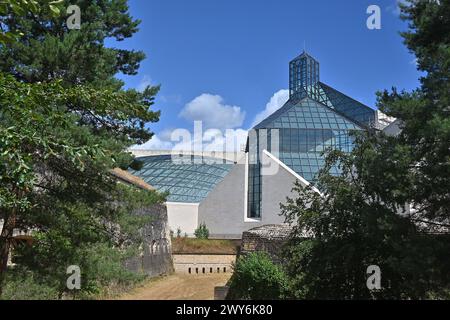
[{"x": 224, "y": 62}]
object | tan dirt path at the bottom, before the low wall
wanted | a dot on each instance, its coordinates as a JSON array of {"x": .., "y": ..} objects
[{"x": 179, "y": 287}]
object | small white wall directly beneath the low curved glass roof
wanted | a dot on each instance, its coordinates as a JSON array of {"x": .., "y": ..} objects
[{"x": 183, "y": 216}]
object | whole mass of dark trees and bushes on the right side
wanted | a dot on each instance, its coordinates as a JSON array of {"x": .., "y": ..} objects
[{"x": 363, "y": 217}]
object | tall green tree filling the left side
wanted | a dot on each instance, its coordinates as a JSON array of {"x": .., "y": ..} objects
[{"x": 73, "y": 124}]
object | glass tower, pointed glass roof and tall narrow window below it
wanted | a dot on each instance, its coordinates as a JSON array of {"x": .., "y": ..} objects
[{"x": 315, "y": 118}]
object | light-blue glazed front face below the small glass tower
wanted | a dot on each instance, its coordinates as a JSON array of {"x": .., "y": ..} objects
[{"x": 306, "y": 129}]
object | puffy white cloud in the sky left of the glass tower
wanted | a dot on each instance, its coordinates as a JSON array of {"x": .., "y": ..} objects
[{"x": 213, "y": 112}]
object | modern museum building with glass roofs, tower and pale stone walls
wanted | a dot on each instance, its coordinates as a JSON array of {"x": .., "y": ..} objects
[{"x": 234, "y": 192}]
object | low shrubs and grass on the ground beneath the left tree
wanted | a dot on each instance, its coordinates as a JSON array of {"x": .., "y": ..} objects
[{"x": 103, "y": 272}]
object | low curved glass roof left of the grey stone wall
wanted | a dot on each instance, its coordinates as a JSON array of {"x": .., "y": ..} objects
[{"x": 187, "y": 179}]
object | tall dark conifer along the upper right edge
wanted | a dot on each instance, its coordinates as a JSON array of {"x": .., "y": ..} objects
[{"x": 425, "y": 113}]
